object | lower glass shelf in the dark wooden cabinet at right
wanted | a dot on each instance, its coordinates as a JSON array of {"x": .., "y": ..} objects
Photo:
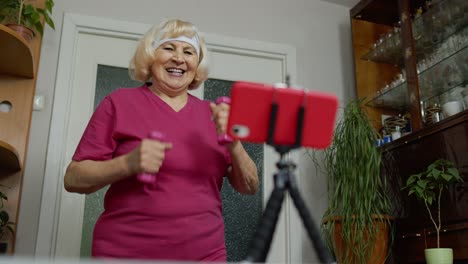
[{"x": 440, "y": 78}]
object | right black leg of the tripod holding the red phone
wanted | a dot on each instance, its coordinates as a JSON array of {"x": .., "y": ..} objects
[{"x": 312, "y": 231}]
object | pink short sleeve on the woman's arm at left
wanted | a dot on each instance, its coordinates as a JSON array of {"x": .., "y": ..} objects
[{"x": 97, "y": 142}]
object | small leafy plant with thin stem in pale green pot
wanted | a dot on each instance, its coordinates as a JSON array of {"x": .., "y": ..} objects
[{"x": 428, "y": 186}]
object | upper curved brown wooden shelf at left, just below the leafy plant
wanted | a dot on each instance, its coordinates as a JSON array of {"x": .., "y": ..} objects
[{"x": 15, "y": 54}]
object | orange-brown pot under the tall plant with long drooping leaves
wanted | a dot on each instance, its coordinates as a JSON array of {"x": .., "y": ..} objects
[{"x": 379, "y": 252}]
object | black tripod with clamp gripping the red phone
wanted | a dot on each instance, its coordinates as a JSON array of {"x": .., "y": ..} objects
[{"x": 284, "y": 180}]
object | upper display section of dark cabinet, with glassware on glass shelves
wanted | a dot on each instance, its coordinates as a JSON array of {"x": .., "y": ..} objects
[{"x": 415, "y": 69}]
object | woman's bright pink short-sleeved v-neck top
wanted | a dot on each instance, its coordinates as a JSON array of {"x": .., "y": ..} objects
[{"x": 179, "y": 217}]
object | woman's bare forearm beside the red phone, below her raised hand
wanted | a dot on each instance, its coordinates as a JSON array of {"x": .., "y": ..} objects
[{"x": 243, "y": 175}]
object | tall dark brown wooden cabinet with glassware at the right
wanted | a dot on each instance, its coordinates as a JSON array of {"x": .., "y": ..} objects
[{"x": 411, "y": 57}]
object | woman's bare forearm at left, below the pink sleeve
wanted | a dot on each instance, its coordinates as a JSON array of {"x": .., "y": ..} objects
[{"x": 88, "y": 176}]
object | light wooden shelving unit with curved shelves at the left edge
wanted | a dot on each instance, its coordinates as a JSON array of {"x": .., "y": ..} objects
[{"x": 18, "y": 70}]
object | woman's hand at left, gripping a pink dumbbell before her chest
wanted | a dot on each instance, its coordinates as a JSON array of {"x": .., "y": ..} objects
[{"x": 148, "y": 156}]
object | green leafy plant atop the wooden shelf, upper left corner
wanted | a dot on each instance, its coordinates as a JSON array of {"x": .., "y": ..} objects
[{"x": 25, "y": 18}]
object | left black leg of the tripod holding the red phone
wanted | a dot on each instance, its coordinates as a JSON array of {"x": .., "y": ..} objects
[{"x": 264, "y": 234}]
